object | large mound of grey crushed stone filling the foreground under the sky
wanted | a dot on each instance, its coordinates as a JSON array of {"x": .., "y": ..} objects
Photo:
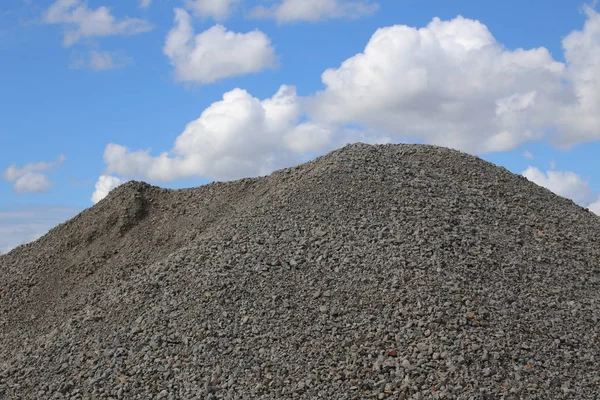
[{"x": 373, "y": 272}]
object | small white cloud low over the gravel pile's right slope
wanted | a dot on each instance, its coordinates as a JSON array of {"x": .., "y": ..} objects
[{"x": 564, "y": 183}]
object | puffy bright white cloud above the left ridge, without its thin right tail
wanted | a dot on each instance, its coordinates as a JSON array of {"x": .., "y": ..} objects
[{"x": 237, "y": 136}]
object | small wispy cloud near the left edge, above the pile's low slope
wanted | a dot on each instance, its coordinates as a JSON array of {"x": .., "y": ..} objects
[{"x": 28, "y": 179}]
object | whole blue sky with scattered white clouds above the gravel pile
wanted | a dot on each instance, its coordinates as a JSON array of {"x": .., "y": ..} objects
[{"x": 182, "y": 92}]
